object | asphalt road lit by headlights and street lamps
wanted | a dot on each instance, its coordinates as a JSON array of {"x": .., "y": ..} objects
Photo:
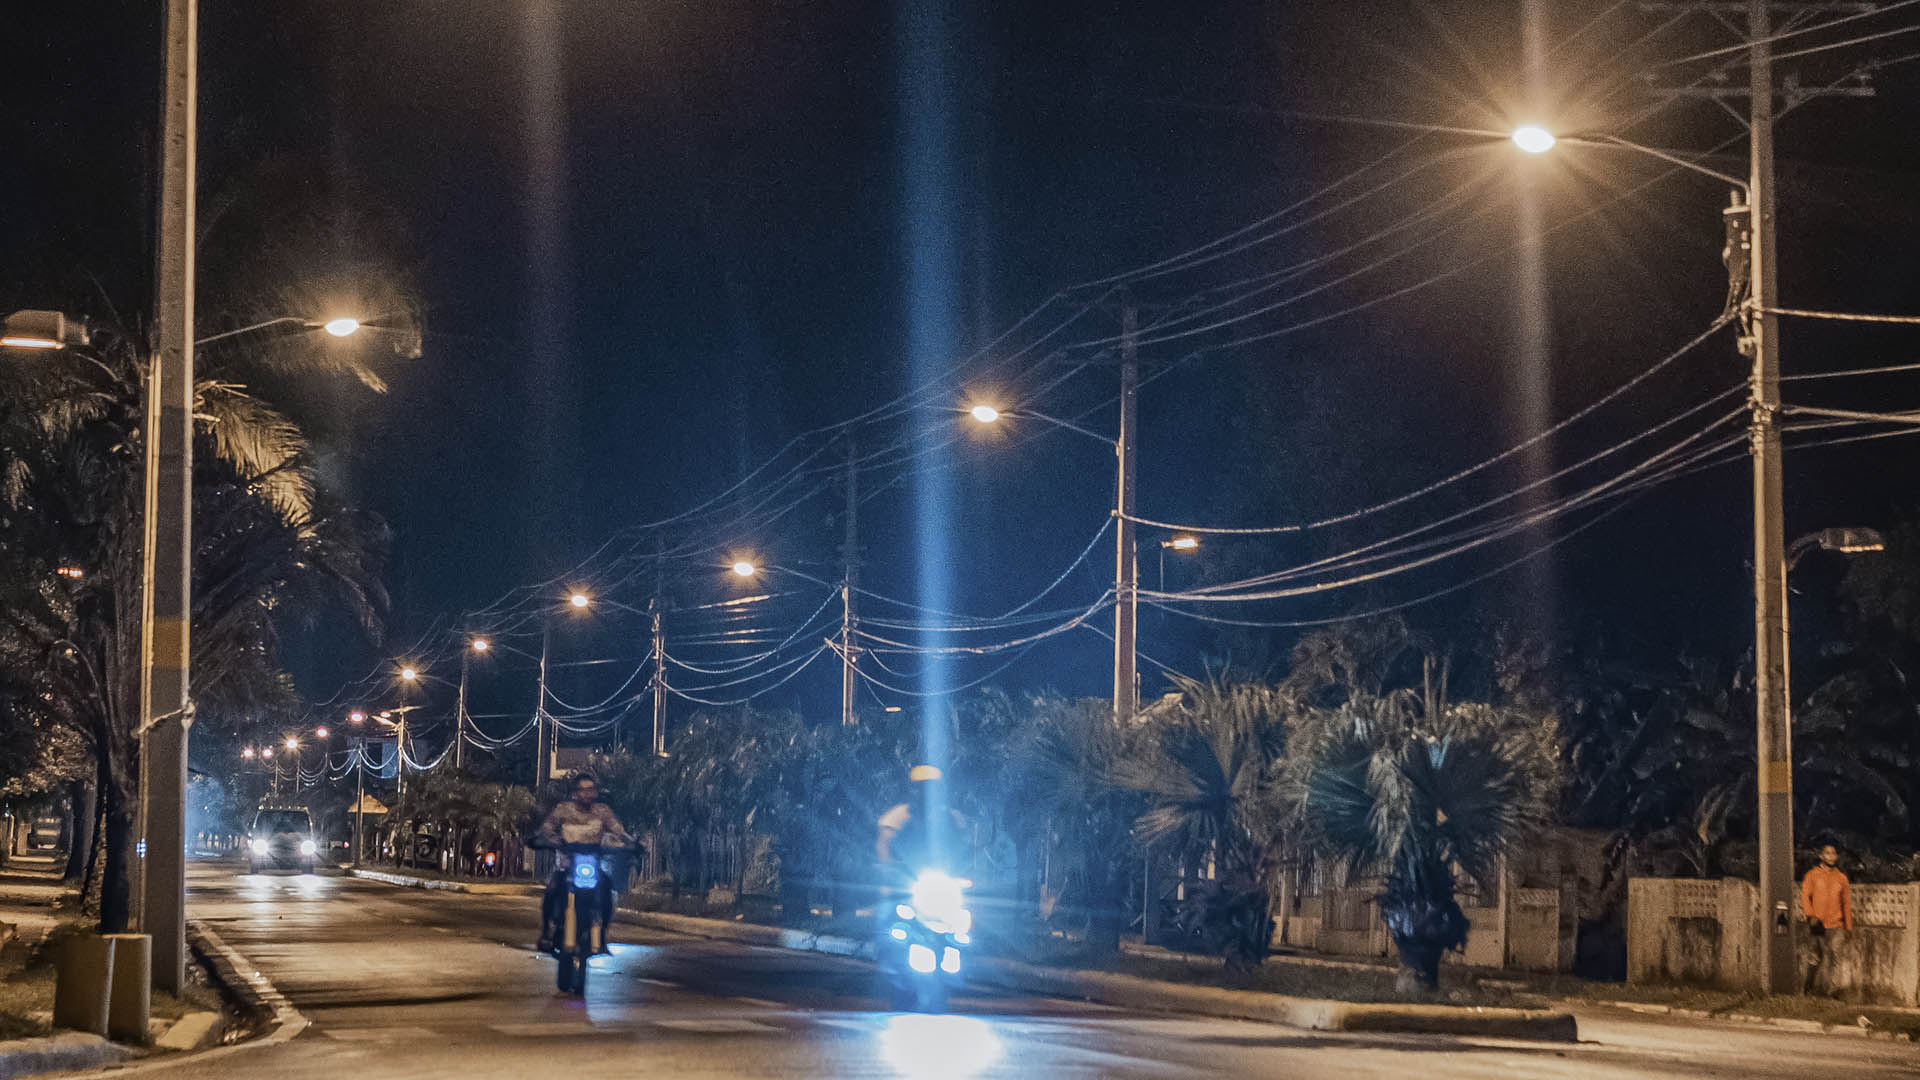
[{"x": 425, "y": 985}]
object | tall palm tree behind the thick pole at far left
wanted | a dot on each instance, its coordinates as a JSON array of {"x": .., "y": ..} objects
[{"x": 268, "y": 547}]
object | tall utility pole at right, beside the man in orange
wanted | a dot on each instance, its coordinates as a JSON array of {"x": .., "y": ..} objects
[{"x": 1769, "y": 541}]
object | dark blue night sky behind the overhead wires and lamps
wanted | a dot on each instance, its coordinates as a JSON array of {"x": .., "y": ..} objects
[{"x": 654, "y": 241}]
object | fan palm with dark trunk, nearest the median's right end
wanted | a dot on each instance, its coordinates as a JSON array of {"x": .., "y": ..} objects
[{"x": 1410, "y": 787}]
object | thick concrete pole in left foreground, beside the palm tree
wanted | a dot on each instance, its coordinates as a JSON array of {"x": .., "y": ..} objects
[{"x": 166, "y": 585}]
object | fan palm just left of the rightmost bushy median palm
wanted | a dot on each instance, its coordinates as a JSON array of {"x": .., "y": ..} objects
[{"x": 1211, "y": 773}]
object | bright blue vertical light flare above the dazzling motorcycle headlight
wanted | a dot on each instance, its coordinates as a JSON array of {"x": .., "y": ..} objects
[{"x": 930, "y": 216}]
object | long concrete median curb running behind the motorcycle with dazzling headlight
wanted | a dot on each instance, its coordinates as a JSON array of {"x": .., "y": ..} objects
[{"x": 1153, "y": 994}]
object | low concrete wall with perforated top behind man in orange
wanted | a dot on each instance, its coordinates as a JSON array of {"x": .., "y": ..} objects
[{"x": 1708, "y": 933}]
